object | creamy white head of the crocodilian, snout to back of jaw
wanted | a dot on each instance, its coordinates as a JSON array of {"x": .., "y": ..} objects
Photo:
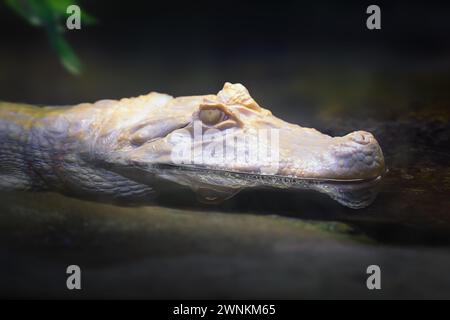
[{"x": 220, "y": 144}]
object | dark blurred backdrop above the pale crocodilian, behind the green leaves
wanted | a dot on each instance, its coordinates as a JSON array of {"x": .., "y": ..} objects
[{"x": 298, "y": 58}]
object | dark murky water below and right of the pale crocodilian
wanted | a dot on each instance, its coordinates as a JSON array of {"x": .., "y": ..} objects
[{"x": 260, "y": 244}]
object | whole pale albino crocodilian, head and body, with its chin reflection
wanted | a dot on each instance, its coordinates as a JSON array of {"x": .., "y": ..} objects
[{"x": 123, "y": 149}]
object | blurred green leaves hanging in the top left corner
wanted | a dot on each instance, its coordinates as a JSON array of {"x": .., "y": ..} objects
[{"x": 52, "y": 15}]
